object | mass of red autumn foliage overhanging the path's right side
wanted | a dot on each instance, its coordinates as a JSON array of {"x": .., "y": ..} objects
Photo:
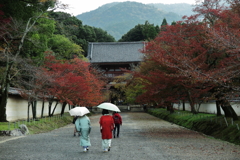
[{"x": 187, "y": 60}]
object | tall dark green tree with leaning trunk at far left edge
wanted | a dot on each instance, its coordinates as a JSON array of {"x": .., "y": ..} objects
[{"x": 13, "y": 36}]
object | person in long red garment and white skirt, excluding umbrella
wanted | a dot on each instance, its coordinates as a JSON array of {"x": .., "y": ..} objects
[{"x": 106, "y": 127}]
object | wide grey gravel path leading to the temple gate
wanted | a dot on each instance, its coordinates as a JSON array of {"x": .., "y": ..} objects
[{"x": 142, "y": 137}]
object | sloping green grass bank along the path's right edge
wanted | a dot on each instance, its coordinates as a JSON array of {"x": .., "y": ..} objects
[{"x": 218, "y": 127}]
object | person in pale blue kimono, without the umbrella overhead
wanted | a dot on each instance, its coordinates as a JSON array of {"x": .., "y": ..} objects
[{"x": 83, "y": 126}]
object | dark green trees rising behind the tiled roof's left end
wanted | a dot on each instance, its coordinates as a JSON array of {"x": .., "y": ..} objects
[{"x": 80, "y": 34}]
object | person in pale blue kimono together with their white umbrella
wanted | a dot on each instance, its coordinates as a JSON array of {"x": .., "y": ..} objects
[{"x": 83, "y": 126}]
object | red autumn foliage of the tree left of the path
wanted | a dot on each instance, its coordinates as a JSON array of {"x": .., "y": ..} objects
[{"x": 72, "y": 82}]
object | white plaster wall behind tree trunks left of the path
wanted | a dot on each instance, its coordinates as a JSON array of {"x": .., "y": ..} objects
[{"x": 17, "y": 108}]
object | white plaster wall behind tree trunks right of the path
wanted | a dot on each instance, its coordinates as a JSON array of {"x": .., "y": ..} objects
[{"x": 209, "y": 107}]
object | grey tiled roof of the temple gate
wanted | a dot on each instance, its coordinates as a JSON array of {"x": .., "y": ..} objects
[{"x": 112, "y": 52}]
